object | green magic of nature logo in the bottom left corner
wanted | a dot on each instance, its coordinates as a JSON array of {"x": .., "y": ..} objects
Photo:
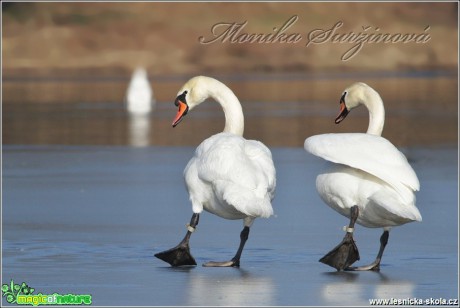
[{"x": 22, "y": 294}]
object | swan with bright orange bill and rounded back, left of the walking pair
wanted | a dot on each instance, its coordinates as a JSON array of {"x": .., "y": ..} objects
[{"x": 228, "y": 176}]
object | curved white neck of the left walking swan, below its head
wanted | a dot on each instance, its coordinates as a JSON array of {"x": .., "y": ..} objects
[{"x": 234, "y": 119}]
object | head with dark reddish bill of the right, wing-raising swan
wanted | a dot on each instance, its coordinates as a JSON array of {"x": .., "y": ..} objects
[{"x": 352, "y": 97}]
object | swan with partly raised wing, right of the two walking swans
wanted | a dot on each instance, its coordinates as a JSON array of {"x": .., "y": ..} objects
[{"x": 369, "y": 180}]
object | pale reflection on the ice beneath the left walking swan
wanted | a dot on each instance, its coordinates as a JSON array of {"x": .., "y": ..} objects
[{"x": 241, "y": 289}]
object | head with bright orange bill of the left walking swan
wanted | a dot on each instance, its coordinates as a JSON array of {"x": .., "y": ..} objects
[{"x": 192, "y": 93}]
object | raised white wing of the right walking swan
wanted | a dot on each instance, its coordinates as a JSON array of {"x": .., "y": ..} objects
[{"x": 372, "y": 154}]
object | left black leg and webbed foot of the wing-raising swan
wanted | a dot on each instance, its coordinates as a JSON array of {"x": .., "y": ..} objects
[{"x": 346, "y": 253}]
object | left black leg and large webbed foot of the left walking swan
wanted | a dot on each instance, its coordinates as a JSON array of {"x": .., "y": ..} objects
[{"x": 180, "y": 255}]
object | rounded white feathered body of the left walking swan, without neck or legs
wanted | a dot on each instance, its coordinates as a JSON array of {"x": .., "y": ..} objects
[{"x": 231, "y": 177}]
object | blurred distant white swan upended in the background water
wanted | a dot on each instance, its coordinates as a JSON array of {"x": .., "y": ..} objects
[{"x": 139, "y": 96}]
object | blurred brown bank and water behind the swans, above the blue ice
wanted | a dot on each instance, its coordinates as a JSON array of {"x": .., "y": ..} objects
[{"x": 68, "y": 70}]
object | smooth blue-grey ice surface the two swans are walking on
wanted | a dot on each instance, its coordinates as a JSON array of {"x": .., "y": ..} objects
[{"x": 88, "y": 220}]
